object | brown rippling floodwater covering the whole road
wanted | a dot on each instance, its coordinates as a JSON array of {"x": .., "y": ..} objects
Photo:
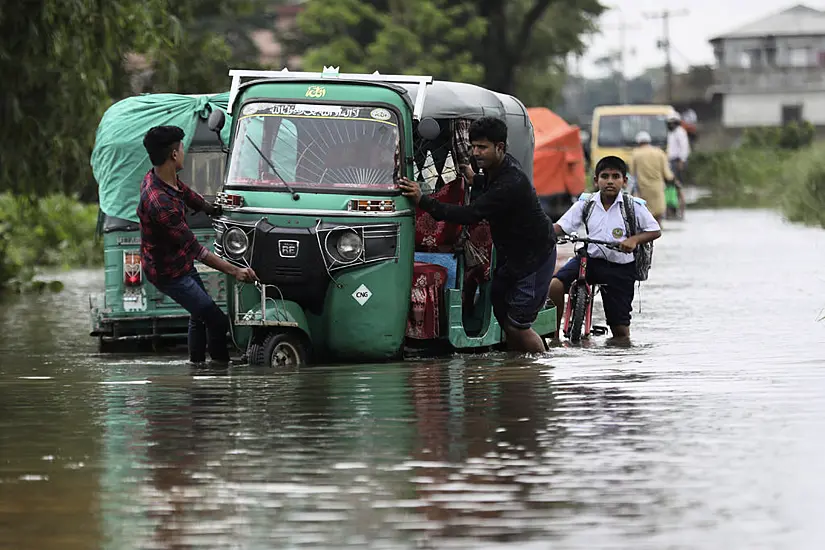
[{"x": 707, "y": 433}]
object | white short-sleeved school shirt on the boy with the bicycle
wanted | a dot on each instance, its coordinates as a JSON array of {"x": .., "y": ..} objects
[{"x": 607, "y": 225}]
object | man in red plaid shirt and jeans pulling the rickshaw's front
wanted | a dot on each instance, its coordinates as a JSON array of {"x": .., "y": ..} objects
[{"x": 169, "y": 249}]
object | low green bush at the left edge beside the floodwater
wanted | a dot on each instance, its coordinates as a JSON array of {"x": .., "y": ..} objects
[{"x": 55, "y": 231}]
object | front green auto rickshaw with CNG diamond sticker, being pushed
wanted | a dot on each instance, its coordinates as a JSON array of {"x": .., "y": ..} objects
[{"x": 350, "y": 270}]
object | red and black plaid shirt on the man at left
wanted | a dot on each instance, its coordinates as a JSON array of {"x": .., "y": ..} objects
[{"x": 168, "y": 248}]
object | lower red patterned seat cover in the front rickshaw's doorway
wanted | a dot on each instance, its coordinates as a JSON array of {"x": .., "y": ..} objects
[{"x": 423, "y": 321}]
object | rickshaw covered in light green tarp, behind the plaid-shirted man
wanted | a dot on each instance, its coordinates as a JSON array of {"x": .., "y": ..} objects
[{"x": 130, "y": 308}]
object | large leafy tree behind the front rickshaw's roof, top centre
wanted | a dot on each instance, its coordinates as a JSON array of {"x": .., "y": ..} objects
[{"x": 512, "y": 46}]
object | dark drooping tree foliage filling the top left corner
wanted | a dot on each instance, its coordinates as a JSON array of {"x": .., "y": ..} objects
[{"x": 56, "y": 62}]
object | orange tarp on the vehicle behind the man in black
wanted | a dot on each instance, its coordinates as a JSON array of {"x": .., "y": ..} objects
[{"x": 558, "y": 160}]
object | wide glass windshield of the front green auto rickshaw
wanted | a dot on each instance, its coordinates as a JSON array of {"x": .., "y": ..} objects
[{"x": 317, "y": 146}]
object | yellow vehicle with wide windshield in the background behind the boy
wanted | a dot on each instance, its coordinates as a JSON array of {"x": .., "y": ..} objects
[{"x": 614, "y": 129}]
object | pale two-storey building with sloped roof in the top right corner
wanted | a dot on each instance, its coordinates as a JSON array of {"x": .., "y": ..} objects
[{"x": 772, "y": 71}]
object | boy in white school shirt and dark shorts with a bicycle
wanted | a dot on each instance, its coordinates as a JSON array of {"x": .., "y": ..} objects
[{"x": 603, "y": 215}]
